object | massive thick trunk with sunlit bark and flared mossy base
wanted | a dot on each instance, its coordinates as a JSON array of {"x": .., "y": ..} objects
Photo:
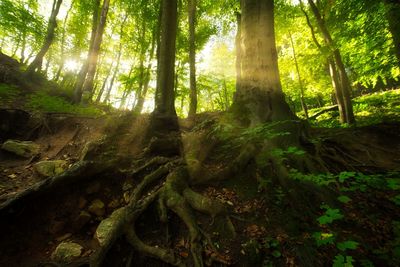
[{"x": 259, "y": 98}]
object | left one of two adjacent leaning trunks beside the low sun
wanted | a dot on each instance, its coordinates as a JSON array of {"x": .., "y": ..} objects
[{"x": 78, "y": 89}]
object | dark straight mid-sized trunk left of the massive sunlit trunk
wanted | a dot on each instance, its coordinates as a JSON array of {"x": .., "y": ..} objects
[{"x": 165, "y": 95}]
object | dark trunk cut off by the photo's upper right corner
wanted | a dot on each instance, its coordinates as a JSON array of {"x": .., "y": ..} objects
[{"x": 393, "y": 17}]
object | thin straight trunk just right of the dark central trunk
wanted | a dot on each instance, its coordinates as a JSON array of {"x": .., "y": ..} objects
[{"x": 192, "y": 57}]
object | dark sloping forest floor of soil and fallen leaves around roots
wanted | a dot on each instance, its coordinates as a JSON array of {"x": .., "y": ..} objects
[{"x": 344, "y": 216}]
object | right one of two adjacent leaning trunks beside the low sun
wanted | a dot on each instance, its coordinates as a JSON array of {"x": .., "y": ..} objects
[{"x": 88, "y": 85}]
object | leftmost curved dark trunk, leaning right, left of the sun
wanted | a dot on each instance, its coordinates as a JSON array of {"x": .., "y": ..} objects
[{"x": 37, "y": 62}]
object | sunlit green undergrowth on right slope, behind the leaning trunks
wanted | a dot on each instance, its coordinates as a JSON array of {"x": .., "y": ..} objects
[{"x": 369, "y": 109}]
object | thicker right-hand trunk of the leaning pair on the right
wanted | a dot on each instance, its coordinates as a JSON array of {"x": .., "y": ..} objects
[{"x": 343, "y": 78}]
